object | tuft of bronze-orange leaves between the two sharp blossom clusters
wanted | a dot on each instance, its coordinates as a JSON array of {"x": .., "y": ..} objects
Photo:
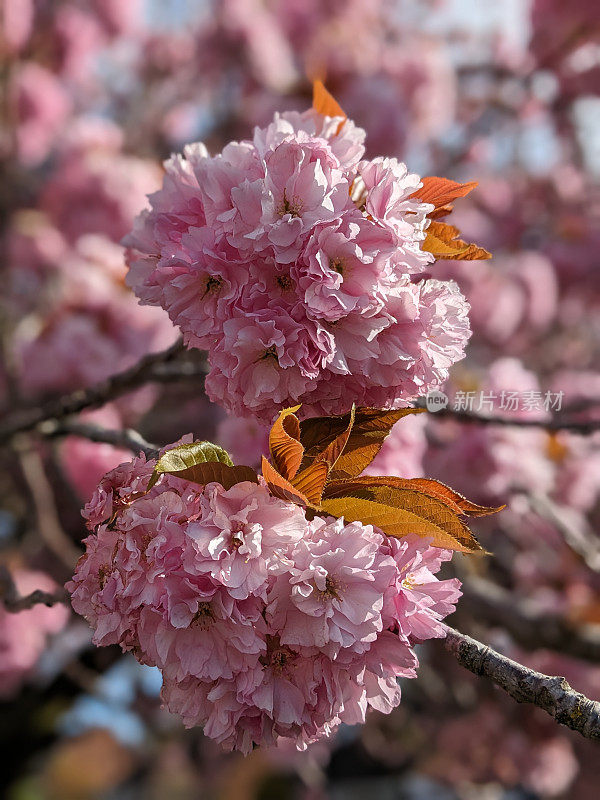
[{"x": 323, "y": 458}]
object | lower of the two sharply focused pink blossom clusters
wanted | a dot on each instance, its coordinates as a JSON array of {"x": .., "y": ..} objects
[{"x": 265, "y": 626}]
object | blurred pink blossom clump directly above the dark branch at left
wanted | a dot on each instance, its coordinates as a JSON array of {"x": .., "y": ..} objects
[{"x": 86, "y": 319}]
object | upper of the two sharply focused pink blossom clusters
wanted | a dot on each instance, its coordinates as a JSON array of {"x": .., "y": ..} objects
[{"x": 300, "y": 268}]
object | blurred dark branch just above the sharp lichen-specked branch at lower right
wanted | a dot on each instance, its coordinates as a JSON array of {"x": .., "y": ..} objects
[{"x": 527, "y": 623}]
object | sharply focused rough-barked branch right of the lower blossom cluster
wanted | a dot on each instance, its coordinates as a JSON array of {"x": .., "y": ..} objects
[{"x": 550, "y": 693}]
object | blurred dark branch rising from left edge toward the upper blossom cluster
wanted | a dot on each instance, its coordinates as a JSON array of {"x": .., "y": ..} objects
[{"x": 147, "y": 370}]
